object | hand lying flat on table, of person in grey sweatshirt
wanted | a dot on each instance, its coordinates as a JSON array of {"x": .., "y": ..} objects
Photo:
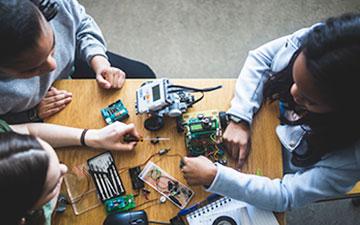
[{"x": 54, "y": 101}]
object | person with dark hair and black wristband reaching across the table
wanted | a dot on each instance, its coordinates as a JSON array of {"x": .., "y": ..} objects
[{"x": 30, "y": 172}]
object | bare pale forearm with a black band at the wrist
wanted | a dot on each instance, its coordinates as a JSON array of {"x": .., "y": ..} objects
[{"x": 56, "y": 135}]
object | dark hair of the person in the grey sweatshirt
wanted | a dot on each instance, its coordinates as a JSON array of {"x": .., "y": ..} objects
[{"x": 20, "y": 29}]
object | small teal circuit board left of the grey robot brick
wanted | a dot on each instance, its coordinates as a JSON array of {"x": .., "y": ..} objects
[{"x": 115, "y": 112}]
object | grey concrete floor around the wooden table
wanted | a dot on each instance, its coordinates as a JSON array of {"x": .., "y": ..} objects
[{"x": 211, "y": 38}]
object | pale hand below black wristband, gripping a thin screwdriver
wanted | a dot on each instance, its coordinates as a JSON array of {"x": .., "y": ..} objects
[{"x": 111, "y": 137}]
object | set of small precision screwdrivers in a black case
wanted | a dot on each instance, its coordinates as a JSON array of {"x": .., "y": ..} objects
[{"x": 105, "y": 175}]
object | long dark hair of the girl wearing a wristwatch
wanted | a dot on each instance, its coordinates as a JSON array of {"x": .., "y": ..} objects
[{"x": 332, "y": 55}]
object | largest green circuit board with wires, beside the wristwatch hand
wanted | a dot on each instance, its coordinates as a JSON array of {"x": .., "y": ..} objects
[{"x": 203, "y": 134}]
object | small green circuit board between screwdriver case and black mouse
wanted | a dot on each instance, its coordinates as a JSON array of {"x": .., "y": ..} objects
[{"x": 120, "y": 204}]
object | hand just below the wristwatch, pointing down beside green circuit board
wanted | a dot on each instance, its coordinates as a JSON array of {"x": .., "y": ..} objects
[{"x": 237, "y": 141}]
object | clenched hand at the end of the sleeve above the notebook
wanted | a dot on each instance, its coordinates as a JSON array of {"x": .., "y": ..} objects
[{"x": 199, "y": 170}]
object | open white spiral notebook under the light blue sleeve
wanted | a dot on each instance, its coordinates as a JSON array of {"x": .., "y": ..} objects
[{"x": 232, "y": 212}]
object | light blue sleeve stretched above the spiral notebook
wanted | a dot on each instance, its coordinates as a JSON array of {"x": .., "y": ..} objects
[{"x": 292, "y": 191}]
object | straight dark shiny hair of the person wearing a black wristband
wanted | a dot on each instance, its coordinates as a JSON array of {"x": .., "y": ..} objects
[{"x": 23, "y": 169}]
